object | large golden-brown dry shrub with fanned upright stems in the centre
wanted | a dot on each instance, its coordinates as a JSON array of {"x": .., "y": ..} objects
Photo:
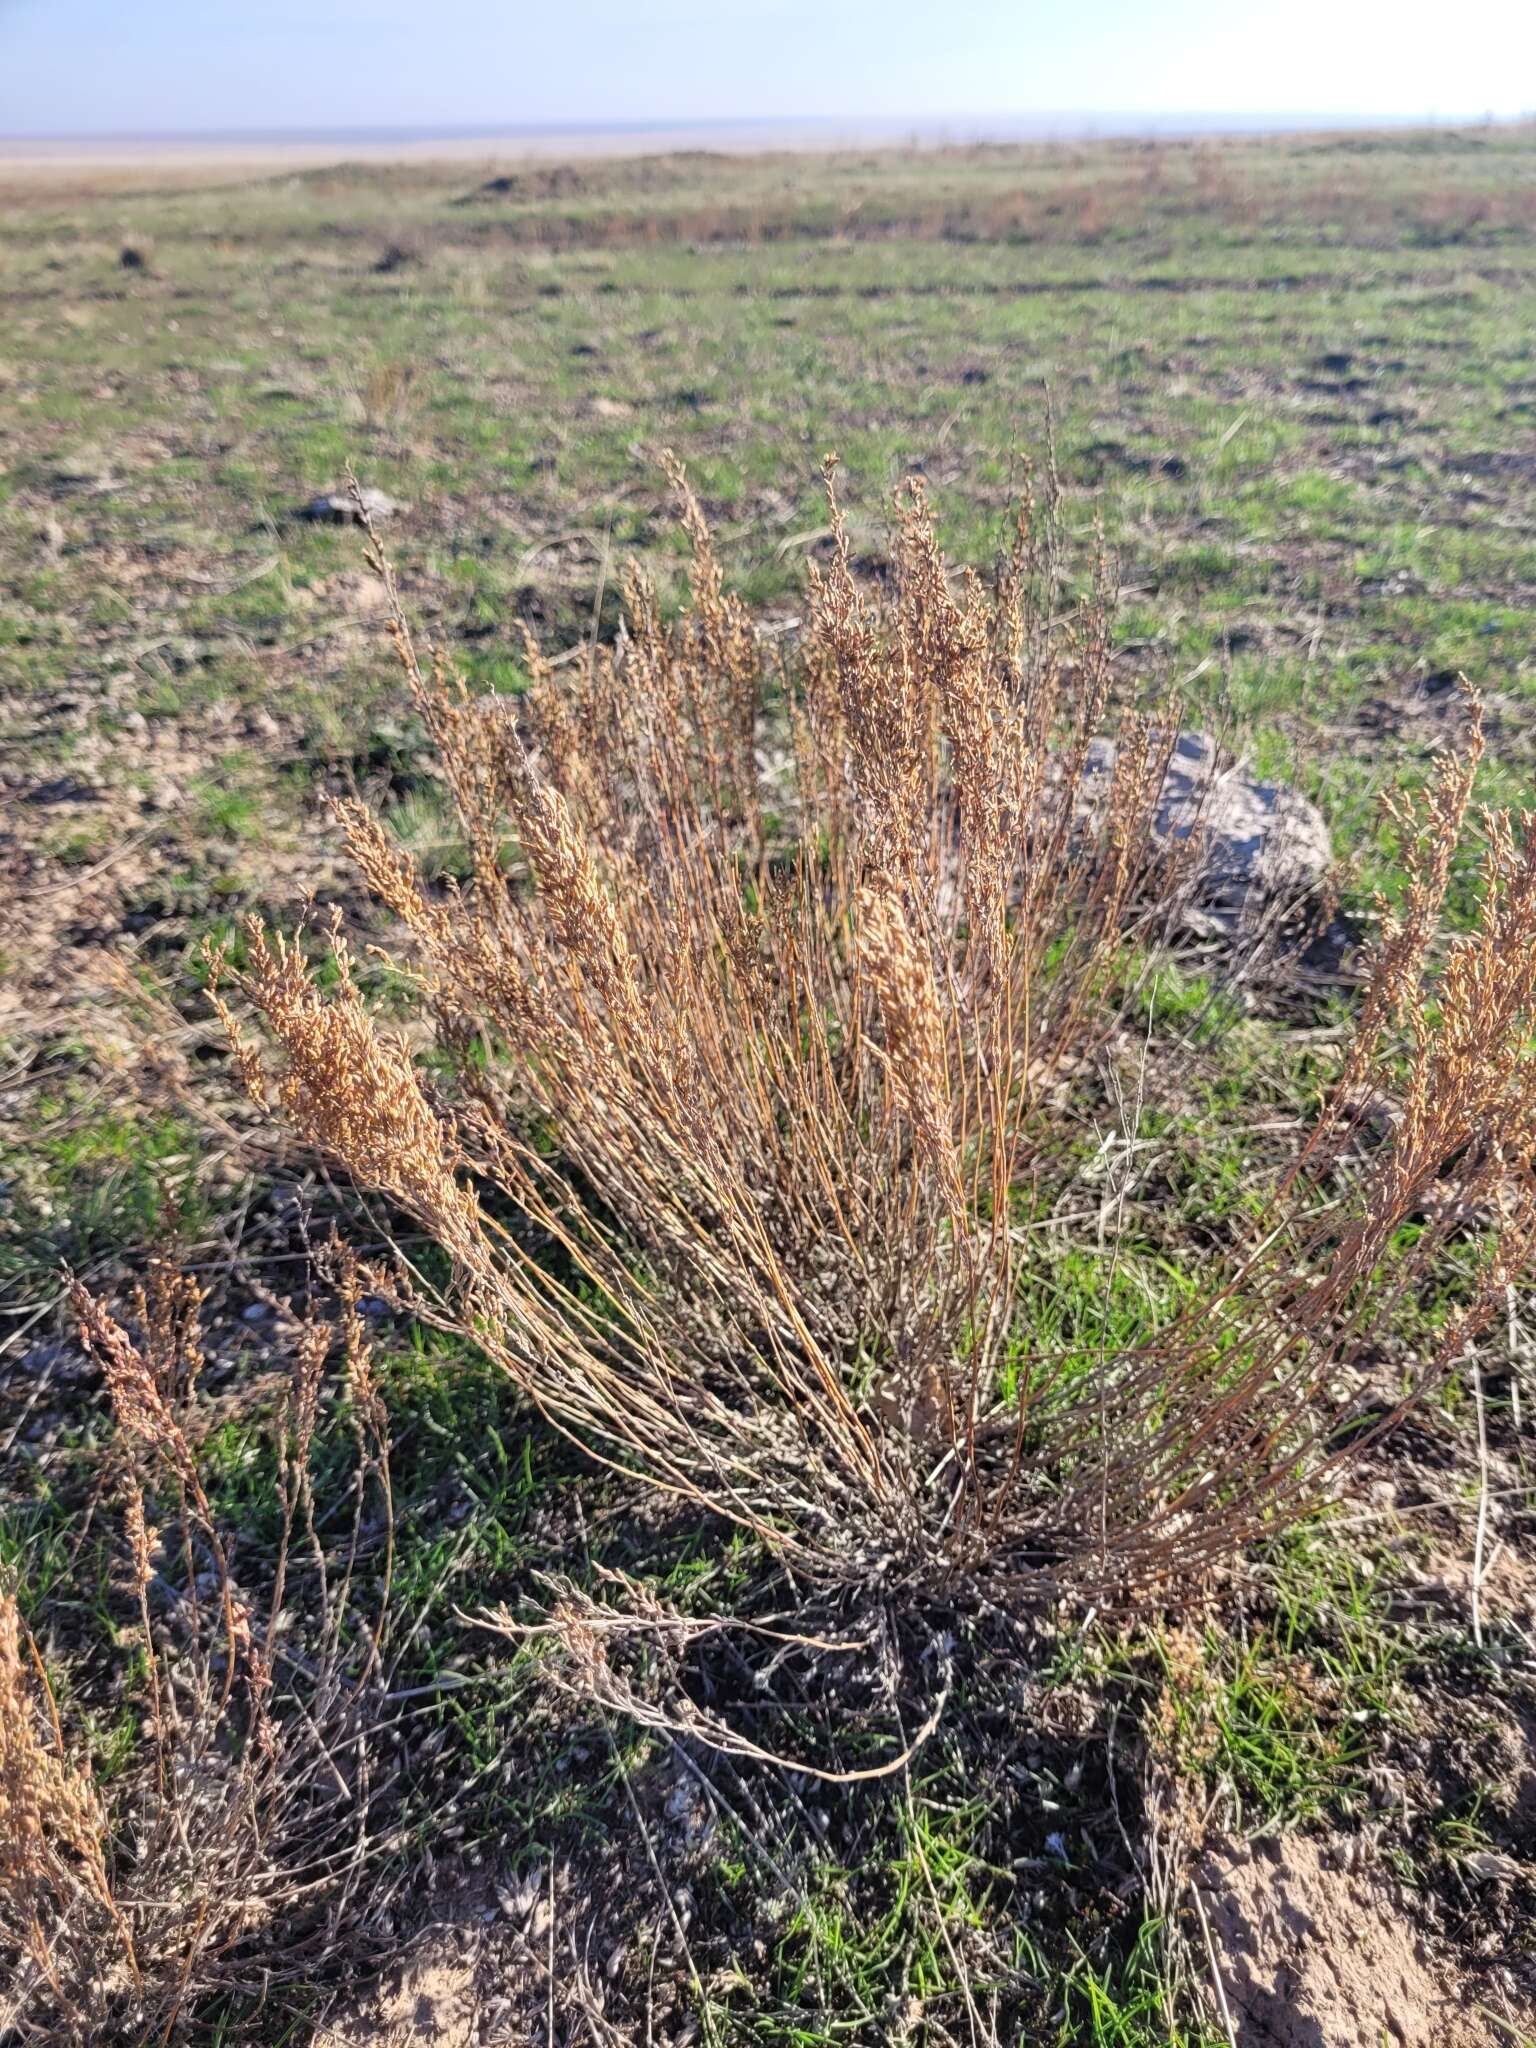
[{"x": 765, "y": 1027}]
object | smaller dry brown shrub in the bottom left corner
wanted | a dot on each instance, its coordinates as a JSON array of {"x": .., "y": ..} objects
[{"x": 224, "y": 1854}]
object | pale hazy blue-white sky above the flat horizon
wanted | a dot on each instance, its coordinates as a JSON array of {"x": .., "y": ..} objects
[{"x": 142, "y": 67}]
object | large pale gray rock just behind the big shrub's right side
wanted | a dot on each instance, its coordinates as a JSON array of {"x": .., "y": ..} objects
[{"x": 1261, "y": 843}]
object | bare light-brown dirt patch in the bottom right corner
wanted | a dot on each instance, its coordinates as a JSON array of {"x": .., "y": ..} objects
[{"x": 1318, "y": 1953}]
